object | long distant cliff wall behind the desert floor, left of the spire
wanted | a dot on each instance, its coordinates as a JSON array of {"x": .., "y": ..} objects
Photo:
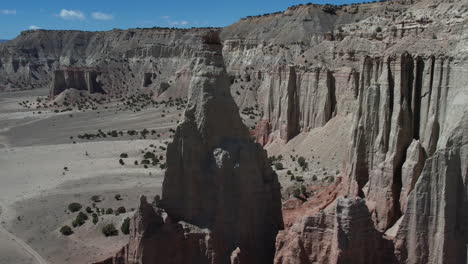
[{"x": 125, "y": 60}]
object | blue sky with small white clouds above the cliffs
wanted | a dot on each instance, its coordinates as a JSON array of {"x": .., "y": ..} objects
[{"x": 18, "y": 15}]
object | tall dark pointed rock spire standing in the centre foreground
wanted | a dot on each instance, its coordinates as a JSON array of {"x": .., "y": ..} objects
[{"x": 220, "y": 194}]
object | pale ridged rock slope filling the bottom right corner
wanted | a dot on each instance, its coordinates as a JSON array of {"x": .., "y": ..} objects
[{"x": 433, "y": 228}]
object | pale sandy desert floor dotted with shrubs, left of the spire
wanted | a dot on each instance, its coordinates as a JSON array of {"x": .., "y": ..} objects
[{"x": 35, "y": 187}]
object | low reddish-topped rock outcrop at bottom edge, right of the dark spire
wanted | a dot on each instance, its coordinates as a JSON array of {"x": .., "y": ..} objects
[{"x": 342, "y": 233}]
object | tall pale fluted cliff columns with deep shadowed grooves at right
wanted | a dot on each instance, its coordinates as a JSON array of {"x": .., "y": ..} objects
[{"x": 400, "y": 104}]
